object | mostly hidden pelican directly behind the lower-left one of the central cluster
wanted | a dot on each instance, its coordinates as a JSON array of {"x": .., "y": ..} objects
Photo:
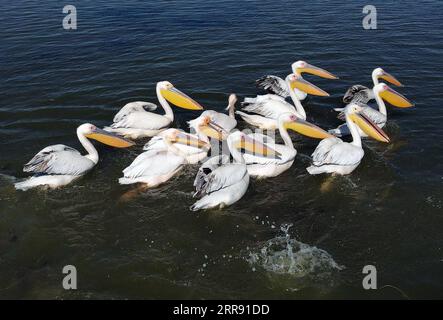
[{"x": 204, "y": 127}]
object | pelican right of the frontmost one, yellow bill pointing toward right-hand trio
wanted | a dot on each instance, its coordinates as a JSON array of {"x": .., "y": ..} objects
[{"x": 263, "y": 167}]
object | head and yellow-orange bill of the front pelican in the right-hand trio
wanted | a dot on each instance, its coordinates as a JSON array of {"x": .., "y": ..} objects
[{"x": 356, "y": 114}]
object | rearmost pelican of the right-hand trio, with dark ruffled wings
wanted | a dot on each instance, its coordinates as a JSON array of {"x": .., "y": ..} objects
[{"x": 362, "y": 94}]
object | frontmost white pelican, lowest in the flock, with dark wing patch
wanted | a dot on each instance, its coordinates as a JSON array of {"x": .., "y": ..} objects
[{"x": 225, "y": 184}]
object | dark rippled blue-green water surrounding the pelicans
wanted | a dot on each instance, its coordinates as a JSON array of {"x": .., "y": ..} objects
[{"x": 387, "y": 213}]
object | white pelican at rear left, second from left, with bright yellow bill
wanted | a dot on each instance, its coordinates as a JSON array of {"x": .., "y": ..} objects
[{"x": 135, "y": 122}]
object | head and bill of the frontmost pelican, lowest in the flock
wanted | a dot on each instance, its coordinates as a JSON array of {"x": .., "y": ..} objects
[{"x": 241, "y": 141}]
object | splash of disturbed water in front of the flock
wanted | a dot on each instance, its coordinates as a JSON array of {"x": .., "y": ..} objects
[{"x": 299, "y": 261}]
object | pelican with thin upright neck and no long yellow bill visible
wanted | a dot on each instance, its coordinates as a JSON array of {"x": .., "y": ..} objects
[{"x": 226, "y": 122}]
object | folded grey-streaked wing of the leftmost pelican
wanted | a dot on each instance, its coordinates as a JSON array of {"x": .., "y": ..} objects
[{"x": 59, "y": 160}]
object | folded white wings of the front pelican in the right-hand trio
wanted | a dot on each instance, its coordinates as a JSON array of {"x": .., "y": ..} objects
[{"x": 333, "y": 151}]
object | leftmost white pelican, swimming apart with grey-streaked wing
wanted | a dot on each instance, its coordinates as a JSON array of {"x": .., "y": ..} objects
[{"x": 58, "y": 165}]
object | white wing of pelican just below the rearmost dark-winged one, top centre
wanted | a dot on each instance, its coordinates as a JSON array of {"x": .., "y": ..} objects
[{"x": 269, "y": 106}]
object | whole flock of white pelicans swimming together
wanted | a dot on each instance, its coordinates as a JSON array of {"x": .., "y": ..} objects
[{"x": 221, "y": 181}]
